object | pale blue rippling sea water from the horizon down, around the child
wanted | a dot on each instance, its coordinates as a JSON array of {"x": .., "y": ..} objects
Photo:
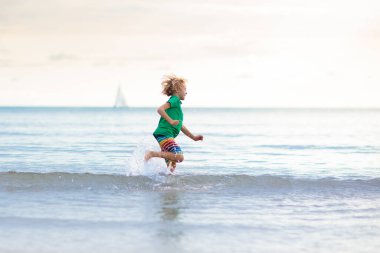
[{"x": 263, "y": 180}]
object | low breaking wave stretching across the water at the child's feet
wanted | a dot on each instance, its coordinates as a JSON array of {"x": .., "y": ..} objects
[{"x": 60, "y": 181}]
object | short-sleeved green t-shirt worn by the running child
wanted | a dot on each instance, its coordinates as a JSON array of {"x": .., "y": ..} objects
[{"x": 175, "y": 113}]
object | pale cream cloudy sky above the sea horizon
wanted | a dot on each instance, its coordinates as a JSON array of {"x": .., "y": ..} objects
[{"x": 234, "y": 53}]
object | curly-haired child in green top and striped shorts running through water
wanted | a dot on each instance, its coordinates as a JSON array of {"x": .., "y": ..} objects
[{"x": 171, "y": 123}]
